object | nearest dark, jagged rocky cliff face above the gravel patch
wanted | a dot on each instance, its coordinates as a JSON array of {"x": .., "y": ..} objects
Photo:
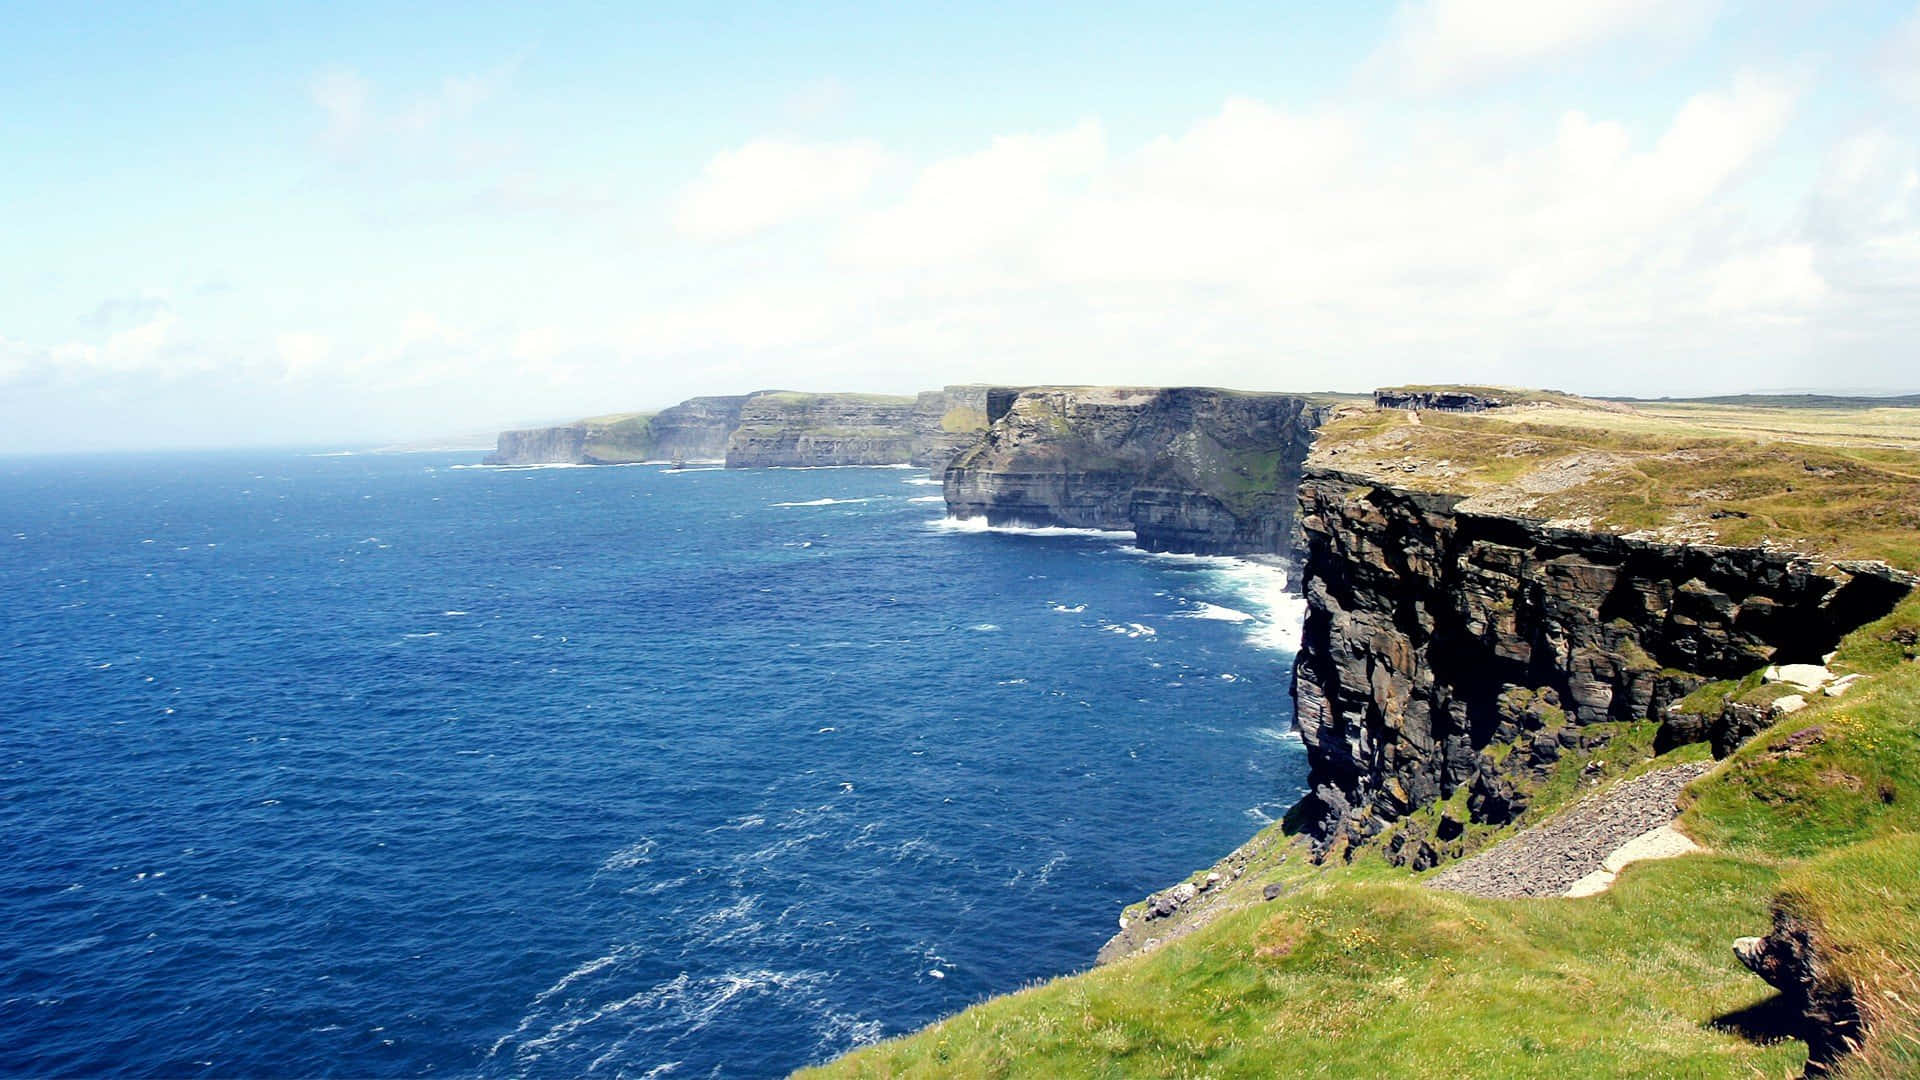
[{"x": 1454, "y": 650}]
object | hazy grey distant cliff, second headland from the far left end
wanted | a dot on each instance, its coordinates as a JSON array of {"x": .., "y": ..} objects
[{"x": 823, "y": 430}]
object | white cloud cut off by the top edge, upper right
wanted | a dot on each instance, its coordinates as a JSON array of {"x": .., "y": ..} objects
[{"x": 1445, "y": 45}]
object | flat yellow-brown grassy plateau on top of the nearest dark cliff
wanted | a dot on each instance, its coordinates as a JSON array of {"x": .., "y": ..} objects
[{"x": 1840, "y": 483}]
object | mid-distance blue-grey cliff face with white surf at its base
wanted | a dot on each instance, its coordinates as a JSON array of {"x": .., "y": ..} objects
[{"x": 1186, "y": 470}]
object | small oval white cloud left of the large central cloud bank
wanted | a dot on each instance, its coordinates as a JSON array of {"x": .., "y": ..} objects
[{"x": 773, "y": 182}]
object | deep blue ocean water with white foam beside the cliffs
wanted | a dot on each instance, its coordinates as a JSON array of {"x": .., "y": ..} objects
[{"x": 387, "y": 766}]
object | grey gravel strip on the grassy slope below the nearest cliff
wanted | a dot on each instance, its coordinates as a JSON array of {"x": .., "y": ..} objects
[{"x": 1572, "y": 845}]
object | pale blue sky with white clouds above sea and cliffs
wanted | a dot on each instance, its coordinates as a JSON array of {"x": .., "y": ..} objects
[{"x": 354, "y": 224}]
